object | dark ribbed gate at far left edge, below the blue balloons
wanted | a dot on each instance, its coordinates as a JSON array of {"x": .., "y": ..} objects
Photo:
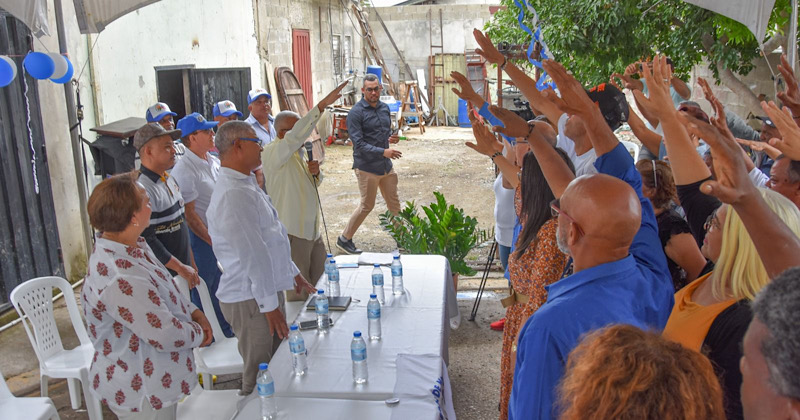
[{"x": 29, "y": 244}]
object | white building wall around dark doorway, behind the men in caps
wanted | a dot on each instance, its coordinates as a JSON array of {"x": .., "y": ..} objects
[{"x": 205, "y": 33}]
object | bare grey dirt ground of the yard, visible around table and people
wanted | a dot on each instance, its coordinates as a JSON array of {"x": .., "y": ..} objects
[{"x": 437, "y": 161}]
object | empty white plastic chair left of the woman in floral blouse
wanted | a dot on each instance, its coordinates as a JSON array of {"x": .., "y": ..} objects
[{"x": 33, "y": 301}]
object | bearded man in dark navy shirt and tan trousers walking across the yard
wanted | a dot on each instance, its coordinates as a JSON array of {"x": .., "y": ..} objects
[{"x": 369, "y": 125}]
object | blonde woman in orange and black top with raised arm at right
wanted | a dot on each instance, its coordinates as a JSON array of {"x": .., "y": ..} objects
[{"x": 712, "y": 313}]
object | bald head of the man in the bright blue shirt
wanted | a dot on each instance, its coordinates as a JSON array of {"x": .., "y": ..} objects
[{"x": 609, "y": 214}]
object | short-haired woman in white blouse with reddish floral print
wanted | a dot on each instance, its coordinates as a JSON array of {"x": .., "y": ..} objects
[{"x": 142, "y": 328}]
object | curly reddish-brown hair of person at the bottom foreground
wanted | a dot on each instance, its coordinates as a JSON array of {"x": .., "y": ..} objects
[{"x": 621, "y": 372}]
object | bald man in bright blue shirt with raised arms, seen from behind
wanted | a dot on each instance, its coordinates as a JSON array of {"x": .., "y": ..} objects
[{"x": 609, "y": 229}]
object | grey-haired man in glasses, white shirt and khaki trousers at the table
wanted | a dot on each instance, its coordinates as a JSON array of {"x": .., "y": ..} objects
[{"x": 253, "y": 249}]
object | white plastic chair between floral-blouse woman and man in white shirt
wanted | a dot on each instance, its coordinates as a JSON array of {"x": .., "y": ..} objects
[{"x": 222, "y": 356}]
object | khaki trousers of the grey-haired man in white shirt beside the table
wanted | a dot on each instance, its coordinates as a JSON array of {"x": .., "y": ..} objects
[{"x": 256, "y": 343}]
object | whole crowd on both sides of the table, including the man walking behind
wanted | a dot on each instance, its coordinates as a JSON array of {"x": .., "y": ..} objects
[{"x": 662, "y": 288}]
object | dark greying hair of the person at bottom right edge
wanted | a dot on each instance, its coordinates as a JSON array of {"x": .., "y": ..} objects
[{"x": 778, "y": 307}]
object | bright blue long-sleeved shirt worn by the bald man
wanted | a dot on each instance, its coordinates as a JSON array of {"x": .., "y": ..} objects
[{"x": 635, "y": 290}]
